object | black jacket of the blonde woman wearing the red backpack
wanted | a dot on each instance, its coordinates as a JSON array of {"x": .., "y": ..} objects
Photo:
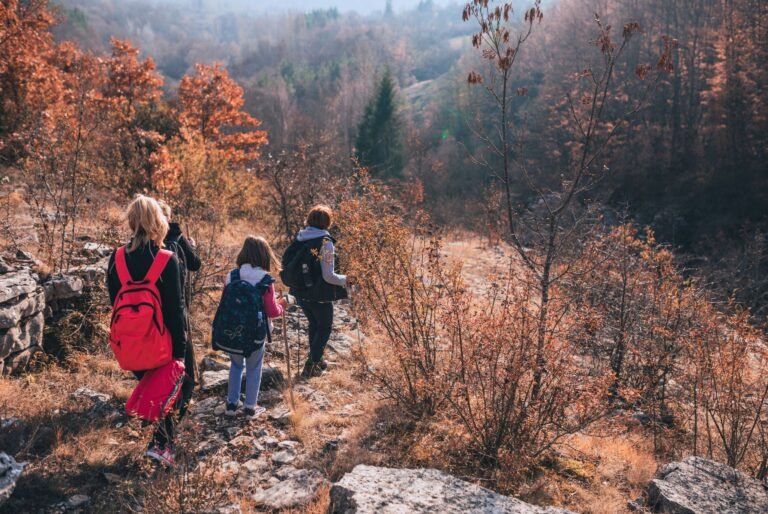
[{"x": 169, "y": 287}]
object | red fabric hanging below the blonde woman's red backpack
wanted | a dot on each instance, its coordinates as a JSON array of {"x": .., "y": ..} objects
[{"x": 157, "y": 392}]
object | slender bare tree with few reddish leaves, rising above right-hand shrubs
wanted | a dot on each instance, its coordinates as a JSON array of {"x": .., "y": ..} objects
[{"x": 552, "y": 227}]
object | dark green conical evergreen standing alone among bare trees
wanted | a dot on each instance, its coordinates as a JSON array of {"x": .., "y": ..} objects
[{"x": 379, "y": 142}]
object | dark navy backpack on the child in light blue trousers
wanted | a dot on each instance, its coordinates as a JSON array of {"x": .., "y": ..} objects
[{"x": 241, "y": 326}]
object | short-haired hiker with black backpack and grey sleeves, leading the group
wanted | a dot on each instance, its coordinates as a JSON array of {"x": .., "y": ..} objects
[{"x": 309, "y": 269}]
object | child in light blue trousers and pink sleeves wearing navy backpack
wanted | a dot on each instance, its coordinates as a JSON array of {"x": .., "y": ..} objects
[{"x": 241, "y": 326}]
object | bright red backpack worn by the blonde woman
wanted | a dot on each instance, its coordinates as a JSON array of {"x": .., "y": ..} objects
[{"x": 138, "y": 335}]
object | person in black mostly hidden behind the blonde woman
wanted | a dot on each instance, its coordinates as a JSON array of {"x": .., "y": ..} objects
[{"x": 188, "y": 261}]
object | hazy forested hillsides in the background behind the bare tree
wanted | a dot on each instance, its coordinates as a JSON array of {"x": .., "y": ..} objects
[{"x": 692, "y": 164}]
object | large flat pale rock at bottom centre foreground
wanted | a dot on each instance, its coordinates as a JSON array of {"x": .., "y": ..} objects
[{"x": 369, "y": 489}]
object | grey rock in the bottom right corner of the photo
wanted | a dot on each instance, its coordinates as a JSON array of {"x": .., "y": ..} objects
[{"x": 701, "y": 486}]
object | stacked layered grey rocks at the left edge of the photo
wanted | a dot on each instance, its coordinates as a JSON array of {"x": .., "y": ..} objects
[{"x": 22, "y": 302}]
